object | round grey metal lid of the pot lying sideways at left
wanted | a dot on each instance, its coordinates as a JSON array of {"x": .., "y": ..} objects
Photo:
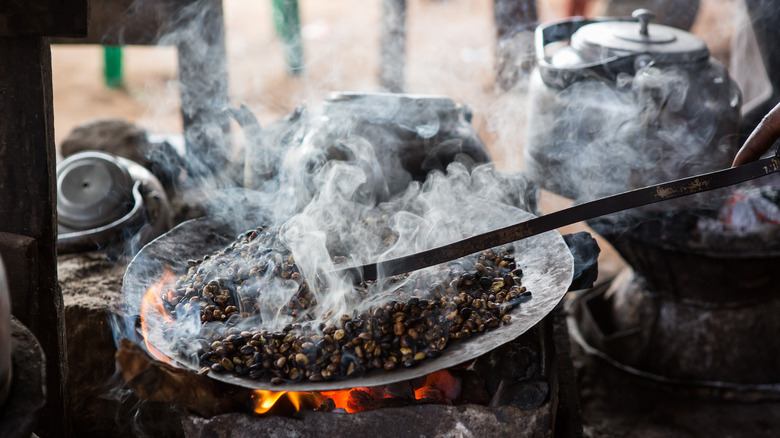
[{"x": 93, "y": 189}]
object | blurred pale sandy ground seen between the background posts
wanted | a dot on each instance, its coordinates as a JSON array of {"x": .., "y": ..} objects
[{"x": 451, "y": 50}]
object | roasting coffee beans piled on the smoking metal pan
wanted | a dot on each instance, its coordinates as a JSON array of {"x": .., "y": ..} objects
[{"x": 451, "y": 303}]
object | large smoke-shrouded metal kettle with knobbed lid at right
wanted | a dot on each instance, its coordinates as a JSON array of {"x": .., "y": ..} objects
[{"x": 621, "y": 103}]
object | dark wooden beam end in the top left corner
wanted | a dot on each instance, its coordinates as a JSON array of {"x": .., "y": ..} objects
[{"x": 43, "y": 18}]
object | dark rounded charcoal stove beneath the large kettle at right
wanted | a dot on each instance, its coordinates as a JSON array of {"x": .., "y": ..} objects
[{"x": 697, "y": 306}]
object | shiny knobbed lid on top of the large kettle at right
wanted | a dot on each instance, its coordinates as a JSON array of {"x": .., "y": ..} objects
[{"x": 606, "y": 39}]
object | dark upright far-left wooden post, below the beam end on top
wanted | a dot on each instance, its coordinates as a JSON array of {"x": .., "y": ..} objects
[{"x": 28, "y": 203}]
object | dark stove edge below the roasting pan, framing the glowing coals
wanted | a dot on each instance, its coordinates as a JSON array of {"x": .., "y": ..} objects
[{"x": 536, "y": 397}]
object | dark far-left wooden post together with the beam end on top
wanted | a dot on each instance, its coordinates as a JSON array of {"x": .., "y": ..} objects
[{"x": 28, "y": 223}]
